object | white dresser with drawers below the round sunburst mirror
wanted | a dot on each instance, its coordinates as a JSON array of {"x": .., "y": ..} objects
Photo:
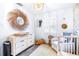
[{"x": 20, "y": 43}]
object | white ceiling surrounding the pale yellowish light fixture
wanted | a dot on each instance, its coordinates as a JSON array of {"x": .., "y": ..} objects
[{"x": 49, "y": 6}]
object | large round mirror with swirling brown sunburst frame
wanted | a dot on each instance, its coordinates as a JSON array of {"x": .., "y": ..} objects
[{"x": 18, "y": 19}]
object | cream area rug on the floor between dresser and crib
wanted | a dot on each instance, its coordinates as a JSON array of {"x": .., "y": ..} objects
[{"x": 44, "y": 50}]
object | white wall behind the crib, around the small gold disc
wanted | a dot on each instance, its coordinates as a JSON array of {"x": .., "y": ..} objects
[{"x": 52, "y": 16}]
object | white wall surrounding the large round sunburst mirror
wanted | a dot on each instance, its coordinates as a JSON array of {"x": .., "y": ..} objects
[{"x": 6, "y": 29}]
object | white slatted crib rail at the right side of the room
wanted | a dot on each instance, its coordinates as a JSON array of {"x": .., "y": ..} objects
[{"x": 68, "y": 44}]
